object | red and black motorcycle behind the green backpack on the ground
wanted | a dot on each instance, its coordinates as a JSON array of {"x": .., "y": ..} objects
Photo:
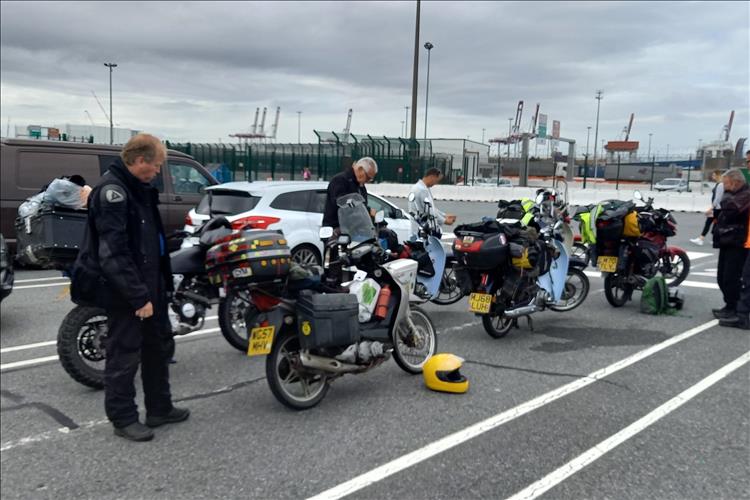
[{"x": 627, "y": 263}]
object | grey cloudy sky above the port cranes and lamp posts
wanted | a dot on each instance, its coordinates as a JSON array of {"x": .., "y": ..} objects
[{"x": 196, "y": 71}]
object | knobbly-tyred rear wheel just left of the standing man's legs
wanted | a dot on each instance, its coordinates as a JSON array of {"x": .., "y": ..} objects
[{"x": 80, "y": 345}]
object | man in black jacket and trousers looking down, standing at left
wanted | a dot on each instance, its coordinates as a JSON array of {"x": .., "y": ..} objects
[{"x": 124, "y": 267}]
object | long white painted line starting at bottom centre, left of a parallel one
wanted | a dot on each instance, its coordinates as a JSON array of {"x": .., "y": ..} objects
[{"x": 457, "y": 438}]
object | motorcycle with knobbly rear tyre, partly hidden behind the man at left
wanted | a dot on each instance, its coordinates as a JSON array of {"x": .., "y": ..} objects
[{"x": 83, "y": 332}]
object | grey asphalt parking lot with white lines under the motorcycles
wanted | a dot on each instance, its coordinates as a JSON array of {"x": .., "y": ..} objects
[{"x": 594, "y": 403}]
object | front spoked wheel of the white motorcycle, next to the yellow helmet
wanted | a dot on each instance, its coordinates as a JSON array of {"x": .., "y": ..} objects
[{"x": 413, "y": 347}]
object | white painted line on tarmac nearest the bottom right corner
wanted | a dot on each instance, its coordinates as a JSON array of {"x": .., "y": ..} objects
[{"x": 549, "y": 481}]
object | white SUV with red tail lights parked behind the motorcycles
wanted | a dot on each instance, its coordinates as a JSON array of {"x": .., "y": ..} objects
[{"x": 296, "y": 208}]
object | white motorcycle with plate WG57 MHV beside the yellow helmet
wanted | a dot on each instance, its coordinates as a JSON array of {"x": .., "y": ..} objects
[{"x": 306, "y": 352}]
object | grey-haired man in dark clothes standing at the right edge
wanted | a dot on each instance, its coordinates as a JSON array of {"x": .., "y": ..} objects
[{"x": 730, "y": 233}]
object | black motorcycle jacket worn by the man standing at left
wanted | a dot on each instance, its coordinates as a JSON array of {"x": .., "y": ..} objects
[{"x": 124, "y": 253}]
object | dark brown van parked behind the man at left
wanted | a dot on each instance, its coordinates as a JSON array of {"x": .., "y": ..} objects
[{"x": 28, "y": 165}]
